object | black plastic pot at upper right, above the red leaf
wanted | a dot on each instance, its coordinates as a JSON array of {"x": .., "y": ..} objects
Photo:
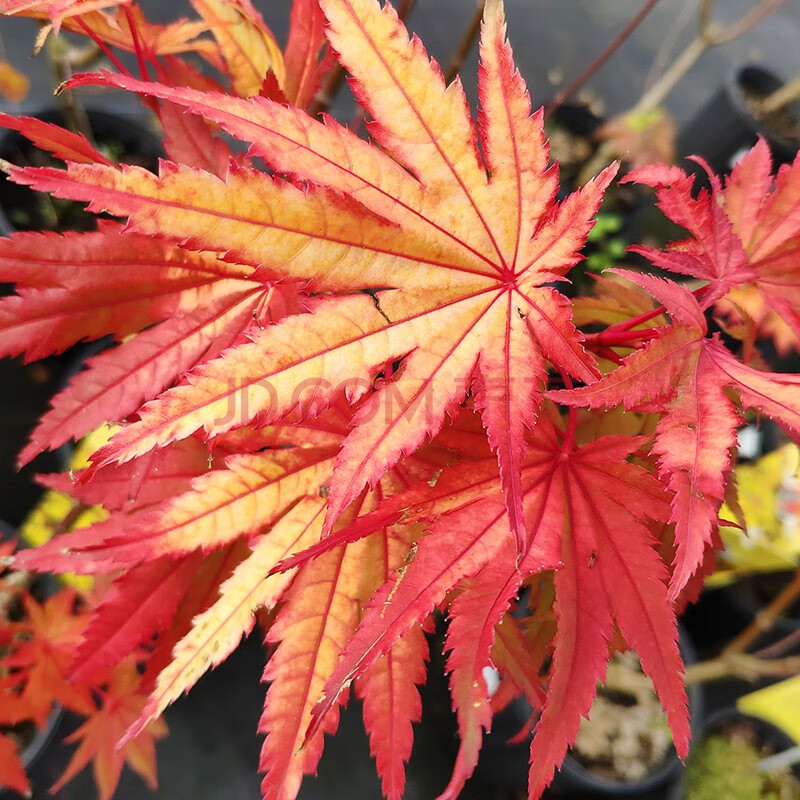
[{"x": 730, "y": 124}]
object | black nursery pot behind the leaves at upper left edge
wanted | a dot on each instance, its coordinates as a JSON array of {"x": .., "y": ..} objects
[{"x": 118, "y": 137}]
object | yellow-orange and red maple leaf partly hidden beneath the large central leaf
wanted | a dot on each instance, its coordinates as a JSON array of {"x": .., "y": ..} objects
[{"x": 292, "y": 513}]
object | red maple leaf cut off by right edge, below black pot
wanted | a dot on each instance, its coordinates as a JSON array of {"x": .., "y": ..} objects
[{"x": 745, "y": 234}]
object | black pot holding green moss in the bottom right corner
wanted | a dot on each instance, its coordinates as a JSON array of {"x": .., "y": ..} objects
[{"x": 765, "y": 737}]
